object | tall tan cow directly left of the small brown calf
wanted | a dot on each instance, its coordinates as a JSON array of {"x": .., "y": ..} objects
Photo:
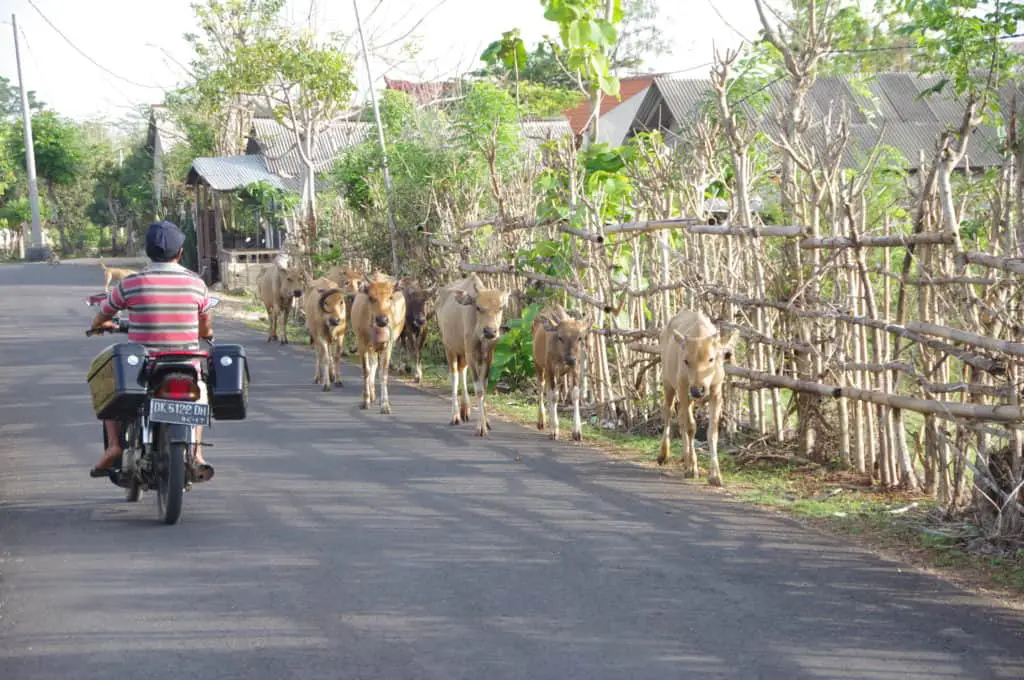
[{"x": 471, "y": 317}]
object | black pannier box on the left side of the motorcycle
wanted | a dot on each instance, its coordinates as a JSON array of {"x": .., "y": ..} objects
[{"x": 114, "y": 381}]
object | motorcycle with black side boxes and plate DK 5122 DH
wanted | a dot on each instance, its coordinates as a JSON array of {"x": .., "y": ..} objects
[{"x": 154, "y": 395}]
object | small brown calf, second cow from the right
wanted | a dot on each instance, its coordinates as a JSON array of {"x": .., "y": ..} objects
[{"x": 559, "y": 344}]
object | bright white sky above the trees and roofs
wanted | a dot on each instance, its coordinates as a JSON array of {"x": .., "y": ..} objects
[{"x": 117, "y": 55}]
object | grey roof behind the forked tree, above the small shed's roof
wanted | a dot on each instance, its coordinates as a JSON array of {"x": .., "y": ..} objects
[{"x": 279, "y": 149}]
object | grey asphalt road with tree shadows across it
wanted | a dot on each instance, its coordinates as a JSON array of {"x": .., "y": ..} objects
[{"x": 342, "y": 544}]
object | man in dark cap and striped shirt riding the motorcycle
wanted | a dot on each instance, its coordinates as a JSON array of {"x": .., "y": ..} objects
[{"x": 168, "y": 310}]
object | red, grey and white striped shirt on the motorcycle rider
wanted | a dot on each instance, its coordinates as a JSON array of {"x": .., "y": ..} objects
[{"x": 163, "y": 303}]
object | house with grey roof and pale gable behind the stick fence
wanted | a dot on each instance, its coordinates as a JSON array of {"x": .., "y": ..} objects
[{"x": 889, "y": 108}]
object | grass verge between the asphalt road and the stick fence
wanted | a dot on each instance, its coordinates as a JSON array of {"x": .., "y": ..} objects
[{"x": 910, "y": 529}]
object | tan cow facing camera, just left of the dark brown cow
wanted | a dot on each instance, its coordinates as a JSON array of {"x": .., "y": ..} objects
[{"x": 378, "y": 320}]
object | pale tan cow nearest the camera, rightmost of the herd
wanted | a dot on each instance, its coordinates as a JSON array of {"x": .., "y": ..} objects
[{"x": 693, "y": 371}]
